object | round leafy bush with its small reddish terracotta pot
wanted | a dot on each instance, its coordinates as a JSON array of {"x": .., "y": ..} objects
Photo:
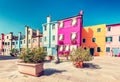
[{"x": 79, "y": 55}]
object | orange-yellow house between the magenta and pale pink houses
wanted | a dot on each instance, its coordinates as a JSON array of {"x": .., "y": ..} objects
[{"x": 93, "y": 37}]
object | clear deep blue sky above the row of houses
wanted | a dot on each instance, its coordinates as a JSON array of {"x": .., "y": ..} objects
[{"x": 15, "y": 14}]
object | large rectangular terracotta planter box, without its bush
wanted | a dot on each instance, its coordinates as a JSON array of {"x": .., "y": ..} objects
[{"x": 30, "y": 68}]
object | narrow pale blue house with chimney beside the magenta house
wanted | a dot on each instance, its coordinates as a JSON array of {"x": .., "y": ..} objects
[{"x": 50, "y": 30}]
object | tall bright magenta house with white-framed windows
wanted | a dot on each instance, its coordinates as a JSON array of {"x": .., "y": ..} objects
[{"x": 69, "y": 33}]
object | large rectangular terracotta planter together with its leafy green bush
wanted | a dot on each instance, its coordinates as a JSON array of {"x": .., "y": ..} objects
[{"x": 32, "y": 61}]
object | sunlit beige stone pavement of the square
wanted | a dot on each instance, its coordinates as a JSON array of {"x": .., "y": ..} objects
[{"x": 101, "y": 69}]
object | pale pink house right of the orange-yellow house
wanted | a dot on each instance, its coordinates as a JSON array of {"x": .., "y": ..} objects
[{"x": 113, "y": 39}]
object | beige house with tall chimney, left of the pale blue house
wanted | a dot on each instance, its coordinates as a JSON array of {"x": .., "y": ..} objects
[{"x": 32, "y": 38}]
